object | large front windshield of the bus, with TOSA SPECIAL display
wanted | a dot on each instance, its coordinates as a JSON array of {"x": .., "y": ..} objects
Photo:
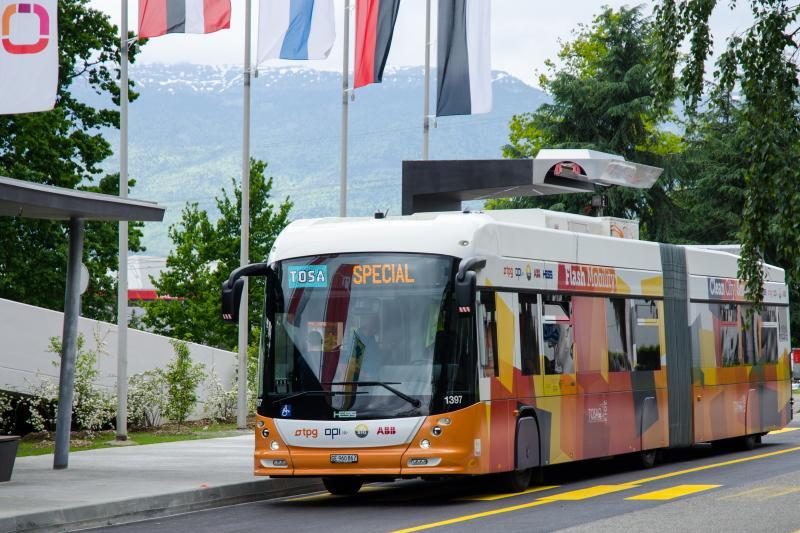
[{"x": 365, "y": 336}]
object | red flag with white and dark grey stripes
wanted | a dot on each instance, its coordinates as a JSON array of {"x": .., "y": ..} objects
[{"x": 158, "y": 17}]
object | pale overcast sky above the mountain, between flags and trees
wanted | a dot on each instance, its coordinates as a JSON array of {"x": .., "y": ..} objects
[{"x": 525, "y": 33}]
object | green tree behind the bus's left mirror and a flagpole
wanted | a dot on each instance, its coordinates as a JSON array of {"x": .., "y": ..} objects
[{"x": 203, "y": 256}]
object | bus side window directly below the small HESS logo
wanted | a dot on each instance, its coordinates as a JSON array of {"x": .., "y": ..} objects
[{"x": 557, "y": 334}]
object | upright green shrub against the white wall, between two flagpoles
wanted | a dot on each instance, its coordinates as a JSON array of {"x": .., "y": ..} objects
[{"x": 183, "y": 376}]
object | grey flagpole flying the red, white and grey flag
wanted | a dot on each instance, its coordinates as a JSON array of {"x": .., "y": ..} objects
[{"x": 122, "y": 279}]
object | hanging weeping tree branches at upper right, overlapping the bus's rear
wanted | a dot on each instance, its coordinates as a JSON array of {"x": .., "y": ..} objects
[{"x": 756, "y": 79}]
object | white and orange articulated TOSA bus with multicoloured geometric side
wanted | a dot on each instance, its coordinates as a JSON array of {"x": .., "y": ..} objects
[{"x": 462, "y": 344}]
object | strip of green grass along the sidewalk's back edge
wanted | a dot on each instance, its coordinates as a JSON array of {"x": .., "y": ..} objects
[{"x": 43, "y": 443}]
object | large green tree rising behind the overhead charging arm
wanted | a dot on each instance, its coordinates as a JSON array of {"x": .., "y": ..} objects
[{"x": 602, "y": 98}]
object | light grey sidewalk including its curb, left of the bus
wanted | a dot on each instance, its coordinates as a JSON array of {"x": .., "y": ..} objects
[{"x": 114, "y": 485}]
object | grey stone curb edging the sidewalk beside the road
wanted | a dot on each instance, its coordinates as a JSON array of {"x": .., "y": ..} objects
[{"x": 135, "y": 509}]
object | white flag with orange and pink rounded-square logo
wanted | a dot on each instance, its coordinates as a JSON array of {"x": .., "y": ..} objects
[{"x": 28, "y": 55}]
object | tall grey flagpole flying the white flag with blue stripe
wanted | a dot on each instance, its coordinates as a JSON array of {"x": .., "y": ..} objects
[{"x": 244, "y": 258}]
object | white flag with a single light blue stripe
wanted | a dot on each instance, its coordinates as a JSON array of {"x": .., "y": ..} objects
[{"x": 295, "y": 29}]
